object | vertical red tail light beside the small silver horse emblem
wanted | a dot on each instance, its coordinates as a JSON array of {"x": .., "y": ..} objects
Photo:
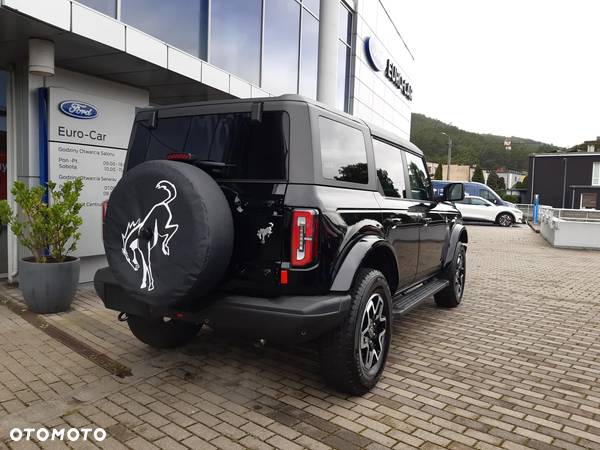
[{"x": 305, "y": 223}]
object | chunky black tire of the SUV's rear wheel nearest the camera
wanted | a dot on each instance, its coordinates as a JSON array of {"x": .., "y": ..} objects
[{"x": 344, "y": 364}]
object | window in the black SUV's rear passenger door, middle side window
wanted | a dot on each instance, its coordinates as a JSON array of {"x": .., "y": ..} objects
[{"x": 390, "y": 169}]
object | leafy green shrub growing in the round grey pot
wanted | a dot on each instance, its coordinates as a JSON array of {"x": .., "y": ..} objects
[{"x": 45, "y": 228}]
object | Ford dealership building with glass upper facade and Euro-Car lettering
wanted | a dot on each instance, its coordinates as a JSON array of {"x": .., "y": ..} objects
[{"x": 72, "y": 74}]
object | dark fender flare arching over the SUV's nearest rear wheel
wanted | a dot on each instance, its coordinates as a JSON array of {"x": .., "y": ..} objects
[{"x": 360, "y": 251}]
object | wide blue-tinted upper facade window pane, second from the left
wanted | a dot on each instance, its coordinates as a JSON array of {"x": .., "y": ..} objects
[{"x": 181, "y": 23}]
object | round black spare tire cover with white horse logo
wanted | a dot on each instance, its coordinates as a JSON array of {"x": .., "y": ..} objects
[{"x": 168, "y": 232}]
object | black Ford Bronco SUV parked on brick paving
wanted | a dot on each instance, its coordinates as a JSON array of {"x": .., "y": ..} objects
[{"x": 281, "y": 219}]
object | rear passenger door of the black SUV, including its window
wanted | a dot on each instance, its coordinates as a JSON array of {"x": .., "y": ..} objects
[{"x": 401, "y": 225}]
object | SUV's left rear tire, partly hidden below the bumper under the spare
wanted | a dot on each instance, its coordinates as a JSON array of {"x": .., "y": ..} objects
[{"x": 161, "y": 332}]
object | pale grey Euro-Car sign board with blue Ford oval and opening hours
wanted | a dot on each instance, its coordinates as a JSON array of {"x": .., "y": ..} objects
[{"x": 93, "y": 150}]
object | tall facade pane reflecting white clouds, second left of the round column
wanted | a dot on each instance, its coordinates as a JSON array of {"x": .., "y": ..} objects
[{"x": 280, "y": 48}]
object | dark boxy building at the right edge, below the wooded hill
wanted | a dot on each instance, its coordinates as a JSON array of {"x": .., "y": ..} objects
[{"x": 565, "y": 180}]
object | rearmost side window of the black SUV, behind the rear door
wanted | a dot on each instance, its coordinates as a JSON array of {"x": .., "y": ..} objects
[{"x": 343, "y": 152}]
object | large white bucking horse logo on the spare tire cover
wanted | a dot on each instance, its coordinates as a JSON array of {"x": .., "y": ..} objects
[{"x": 142, "y": 235}]
